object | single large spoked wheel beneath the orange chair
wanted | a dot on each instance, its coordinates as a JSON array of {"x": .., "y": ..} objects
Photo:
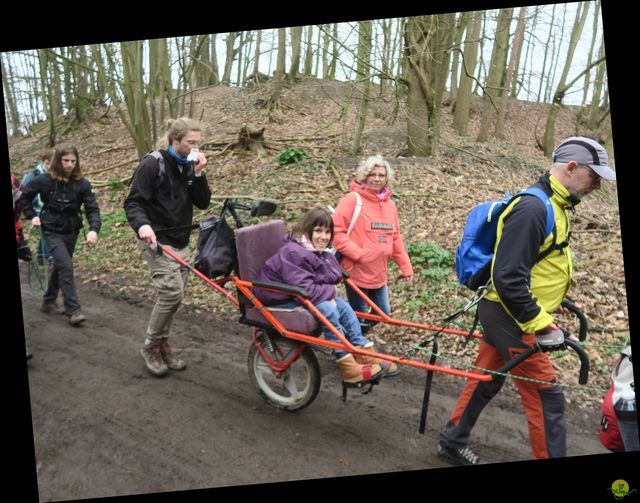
[{"x": 292, "y": 389}]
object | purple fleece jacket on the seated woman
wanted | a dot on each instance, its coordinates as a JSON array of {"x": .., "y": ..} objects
[{"x": 294, "y": 265}]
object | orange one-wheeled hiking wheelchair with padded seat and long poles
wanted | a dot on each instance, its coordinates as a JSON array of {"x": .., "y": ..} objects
[{"x": 281, "y": 362}]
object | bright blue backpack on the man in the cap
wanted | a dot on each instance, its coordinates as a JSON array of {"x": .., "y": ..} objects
[{"x": 475, "y": 252}]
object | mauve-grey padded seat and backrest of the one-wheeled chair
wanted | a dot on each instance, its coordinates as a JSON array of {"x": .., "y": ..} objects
[{"x": 255, "y": 244}]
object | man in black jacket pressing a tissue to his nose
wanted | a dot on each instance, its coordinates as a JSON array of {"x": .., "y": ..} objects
[{"x": 159, "y": 208}]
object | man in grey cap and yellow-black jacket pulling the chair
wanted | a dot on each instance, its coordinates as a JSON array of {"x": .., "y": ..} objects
[{"x": 530, "y": 275}]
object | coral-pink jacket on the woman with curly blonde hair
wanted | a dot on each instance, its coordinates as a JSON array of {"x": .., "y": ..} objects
[{"x": 374, "y": 240}]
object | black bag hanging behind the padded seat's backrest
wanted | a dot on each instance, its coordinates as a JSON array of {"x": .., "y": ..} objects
[{"x": 216, "y": 254}]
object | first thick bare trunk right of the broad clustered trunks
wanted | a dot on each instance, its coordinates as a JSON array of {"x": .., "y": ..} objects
[{"x": 469, "y": 61}]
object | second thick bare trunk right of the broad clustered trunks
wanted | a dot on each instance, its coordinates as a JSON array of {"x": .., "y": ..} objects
[{"x": 496, "y": 73}]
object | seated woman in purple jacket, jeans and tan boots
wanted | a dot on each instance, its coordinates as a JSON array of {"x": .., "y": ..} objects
[{"x": 304, "y": 262}]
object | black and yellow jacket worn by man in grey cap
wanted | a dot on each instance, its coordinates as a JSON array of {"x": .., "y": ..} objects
[{"x": 527, "y": 288}]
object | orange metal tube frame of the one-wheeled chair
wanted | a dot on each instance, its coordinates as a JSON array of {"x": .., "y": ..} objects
[{"x": 246, "y": 288}]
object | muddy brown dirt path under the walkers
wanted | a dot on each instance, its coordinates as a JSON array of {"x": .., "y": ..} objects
[{"x": 104, "y": 427}]
